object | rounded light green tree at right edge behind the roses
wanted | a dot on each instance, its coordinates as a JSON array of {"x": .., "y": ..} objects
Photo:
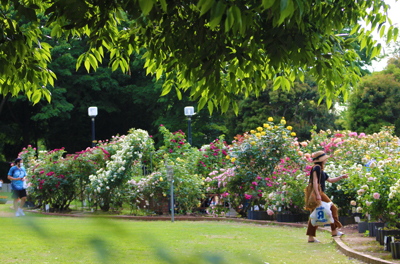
[{"x": 376, "y": 102}]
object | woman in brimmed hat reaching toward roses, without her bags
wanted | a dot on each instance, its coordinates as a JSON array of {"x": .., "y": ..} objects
[{"x": 318, "y": 176}]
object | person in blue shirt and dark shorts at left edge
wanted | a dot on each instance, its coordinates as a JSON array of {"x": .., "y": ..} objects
[{"x": 17, "y": 175}]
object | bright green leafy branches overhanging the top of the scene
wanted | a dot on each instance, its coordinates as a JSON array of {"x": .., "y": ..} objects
[{"x": 213, "y": 48}]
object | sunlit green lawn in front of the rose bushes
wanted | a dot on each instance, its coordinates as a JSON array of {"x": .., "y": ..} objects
[{"x": 38, "y": 239}]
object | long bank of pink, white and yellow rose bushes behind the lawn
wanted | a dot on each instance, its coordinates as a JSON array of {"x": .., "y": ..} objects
[{"x": 260, "y": 175}]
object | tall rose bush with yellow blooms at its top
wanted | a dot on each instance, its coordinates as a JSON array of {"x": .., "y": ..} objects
[{"x": 254, "y": 157}]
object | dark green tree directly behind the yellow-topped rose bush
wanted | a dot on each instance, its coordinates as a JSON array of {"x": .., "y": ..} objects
[{"x": 299, "y": 106}]
